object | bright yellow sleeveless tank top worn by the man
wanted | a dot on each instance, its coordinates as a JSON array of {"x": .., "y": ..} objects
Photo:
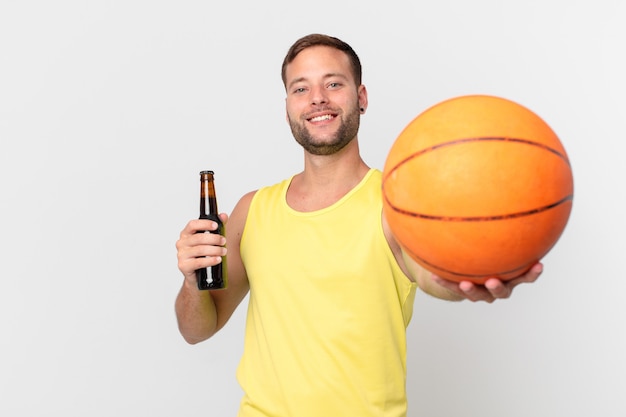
[{"x": 328, "y": 309}]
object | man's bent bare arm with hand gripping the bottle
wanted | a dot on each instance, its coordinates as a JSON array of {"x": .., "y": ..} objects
[{"x": 201, "y": 314}]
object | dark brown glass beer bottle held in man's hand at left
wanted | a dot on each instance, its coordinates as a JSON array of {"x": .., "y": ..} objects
[{"x": 213, "y": 277}]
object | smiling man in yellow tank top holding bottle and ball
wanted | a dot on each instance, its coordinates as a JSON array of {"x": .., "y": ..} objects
[{"x": 331, "y": 290}]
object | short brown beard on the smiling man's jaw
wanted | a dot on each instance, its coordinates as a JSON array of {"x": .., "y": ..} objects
[{"x": 345, "y": 134}]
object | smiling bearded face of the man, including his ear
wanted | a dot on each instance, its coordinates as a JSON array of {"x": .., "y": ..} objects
[{"x": 323, "y": 100}]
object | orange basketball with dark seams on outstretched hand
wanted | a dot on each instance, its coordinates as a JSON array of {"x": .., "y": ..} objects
[{"x": 477, "y": 187}]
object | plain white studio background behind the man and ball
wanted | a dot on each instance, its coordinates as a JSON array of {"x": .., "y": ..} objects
[{"x": 109, "y": 109}]
